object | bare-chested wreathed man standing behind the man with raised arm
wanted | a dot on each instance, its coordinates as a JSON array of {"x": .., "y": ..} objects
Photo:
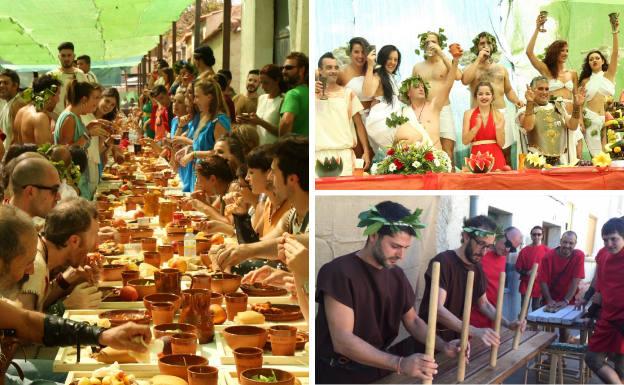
[{"x": 434, "y": 70}]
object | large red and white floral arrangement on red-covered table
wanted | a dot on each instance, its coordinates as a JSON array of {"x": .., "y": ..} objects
[{"x": 412, "y": 159}]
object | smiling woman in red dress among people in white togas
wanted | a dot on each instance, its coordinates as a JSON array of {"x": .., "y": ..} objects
[{"x": 488, "y": 137}]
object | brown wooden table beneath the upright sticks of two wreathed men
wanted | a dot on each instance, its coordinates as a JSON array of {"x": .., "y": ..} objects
[{"x": 478, "y": 370}]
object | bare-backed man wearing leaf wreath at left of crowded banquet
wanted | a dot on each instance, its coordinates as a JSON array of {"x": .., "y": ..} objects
[{"x": 33, "y": 123}]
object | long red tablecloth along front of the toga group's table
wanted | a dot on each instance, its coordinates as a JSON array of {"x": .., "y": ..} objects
[{"x": 586, "y": 178}]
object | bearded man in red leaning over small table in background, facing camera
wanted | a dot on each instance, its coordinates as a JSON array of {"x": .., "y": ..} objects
[{"x": 559, "y": 274}]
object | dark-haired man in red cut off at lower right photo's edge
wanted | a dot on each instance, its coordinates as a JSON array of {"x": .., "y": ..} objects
[{"x": 608, "y": 336}]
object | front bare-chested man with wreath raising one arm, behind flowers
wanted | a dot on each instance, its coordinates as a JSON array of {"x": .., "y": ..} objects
[{"x": 425, "y": 108}]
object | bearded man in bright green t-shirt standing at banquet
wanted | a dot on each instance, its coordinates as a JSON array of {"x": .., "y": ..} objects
[{"x": 294, "y": 111}]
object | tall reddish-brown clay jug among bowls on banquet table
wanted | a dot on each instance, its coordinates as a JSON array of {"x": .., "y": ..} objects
[{"x": 196, "y": 311}]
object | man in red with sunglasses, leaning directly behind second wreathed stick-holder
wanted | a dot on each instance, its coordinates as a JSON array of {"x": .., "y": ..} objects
[{"x": 494, "y": 263}]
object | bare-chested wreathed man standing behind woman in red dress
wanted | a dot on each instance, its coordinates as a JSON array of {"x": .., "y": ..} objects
[{"x": 483, "y": 69}]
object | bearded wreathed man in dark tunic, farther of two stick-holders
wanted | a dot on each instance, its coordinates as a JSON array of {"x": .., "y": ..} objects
[{"x": 477, "y": 238}]
